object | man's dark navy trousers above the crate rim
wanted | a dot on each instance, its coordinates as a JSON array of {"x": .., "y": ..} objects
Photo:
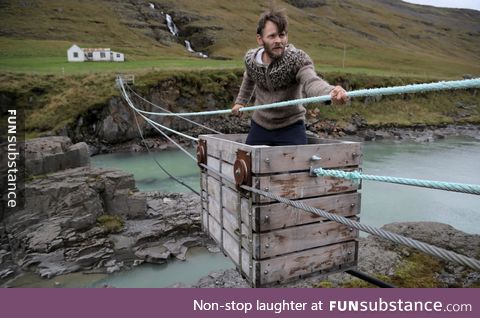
[{"x": 294, "y": 134}]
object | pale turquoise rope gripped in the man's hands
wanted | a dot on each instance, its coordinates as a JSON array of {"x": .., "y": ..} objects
[{"x": 415, "y": 88}]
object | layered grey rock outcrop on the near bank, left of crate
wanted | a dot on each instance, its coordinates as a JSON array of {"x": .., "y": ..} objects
[{"x": 90, "y": 219}]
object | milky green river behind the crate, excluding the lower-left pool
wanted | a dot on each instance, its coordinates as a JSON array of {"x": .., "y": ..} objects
[{"x": 453, "y": 159}]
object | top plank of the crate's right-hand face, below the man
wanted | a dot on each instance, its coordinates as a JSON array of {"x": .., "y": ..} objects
[{"x": 298, "y": 158}]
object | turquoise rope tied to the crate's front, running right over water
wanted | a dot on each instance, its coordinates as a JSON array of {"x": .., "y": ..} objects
[{"x": 439, "y": 185}]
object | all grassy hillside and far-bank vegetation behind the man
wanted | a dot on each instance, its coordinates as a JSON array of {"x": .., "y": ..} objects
[{"x": 385, "y": 42}]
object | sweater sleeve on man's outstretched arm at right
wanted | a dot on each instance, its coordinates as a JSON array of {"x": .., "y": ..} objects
[{"x": 313, "y": 85}]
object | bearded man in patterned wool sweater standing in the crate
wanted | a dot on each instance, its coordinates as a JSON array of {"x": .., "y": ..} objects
[{"x": 277, "y": 71}]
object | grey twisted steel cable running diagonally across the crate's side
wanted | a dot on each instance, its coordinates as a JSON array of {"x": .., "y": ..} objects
[{"x": 424, "y": 247}]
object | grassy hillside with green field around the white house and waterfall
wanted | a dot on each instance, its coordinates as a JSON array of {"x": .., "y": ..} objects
[{"x": 387, "y": 37}]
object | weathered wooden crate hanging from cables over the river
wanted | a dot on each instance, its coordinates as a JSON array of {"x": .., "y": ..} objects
[{"x": 271, "y": 242}]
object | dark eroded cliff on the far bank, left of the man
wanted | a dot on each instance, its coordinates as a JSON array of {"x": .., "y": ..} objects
[{"x": 115, "y": 123}]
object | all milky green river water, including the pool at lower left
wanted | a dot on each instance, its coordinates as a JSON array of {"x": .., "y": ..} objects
[{"x": 453, "y": 159}]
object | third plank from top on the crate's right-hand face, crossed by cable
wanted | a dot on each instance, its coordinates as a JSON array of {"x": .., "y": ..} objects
[{"x": 280, "y": 215}]
